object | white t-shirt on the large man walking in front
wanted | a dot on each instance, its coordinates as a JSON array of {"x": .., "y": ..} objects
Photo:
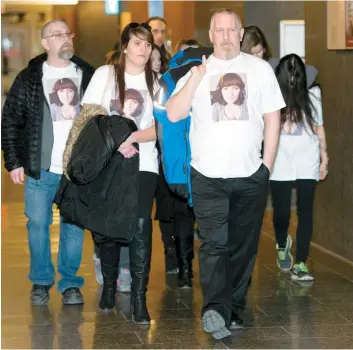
[{"x": 227, "y": 123}]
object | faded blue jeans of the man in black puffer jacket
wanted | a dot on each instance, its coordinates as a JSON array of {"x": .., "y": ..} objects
[{"x": 39, "y": 196}]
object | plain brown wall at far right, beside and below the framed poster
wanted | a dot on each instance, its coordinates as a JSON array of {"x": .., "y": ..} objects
[{"x": 334, "y": 199}]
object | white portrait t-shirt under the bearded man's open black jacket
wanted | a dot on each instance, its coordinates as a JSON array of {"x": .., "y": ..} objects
[{"x": 62, "y": 93}]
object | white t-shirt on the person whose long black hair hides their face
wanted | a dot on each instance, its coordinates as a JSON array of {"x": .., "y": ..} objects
[{"x": 298, "y": 154}]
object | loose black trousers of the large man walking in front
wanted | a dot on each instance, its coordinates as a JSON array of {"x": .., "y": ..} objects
[{"x": 229, "y": 213}]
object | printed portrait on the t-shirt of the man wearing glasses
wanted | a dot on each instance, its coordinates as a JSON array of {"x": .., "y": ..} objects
[{"x": 64, "y": 98}]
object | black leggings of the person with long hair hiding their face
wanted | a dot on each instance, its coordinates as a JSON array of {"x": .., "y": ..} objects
[{"x": 281, "y": 192}]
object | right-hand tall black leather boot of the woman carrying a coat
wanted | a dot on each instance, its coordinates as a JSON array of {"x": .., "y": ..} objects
[{"x": 140, "y": 264}]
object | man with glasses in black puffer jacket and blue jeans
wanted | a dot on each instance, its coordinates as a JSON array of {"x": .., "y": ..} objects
[{"x": 37, "y": 117}]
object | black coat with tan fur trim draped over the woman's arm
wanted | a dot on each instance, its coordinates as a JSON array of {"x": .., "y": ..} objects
[{"x": 99, "y": 188}]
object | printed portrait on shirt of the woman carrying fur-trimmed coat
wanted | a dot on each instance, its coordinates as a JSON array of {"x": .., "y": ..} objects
[{"x": 134, "y": 105}]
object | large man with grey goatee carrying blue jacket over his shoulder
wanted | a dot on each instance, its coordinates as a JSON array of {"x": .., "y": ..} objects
[{"x": 228, "y": 177}]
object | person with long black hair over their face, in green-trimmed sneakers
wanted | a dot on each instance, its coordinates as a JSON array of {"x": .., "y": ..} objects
[{"x": 301, "y": 159}]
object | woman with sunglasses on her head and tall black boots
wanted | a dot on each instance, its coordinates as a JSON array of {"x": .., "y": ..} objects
[{"x": 109, "y": 83}]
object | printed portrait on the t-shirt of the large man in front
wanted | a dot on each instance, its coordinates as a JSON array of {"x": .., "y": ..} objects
[{"x": 228, "y": 97}]
